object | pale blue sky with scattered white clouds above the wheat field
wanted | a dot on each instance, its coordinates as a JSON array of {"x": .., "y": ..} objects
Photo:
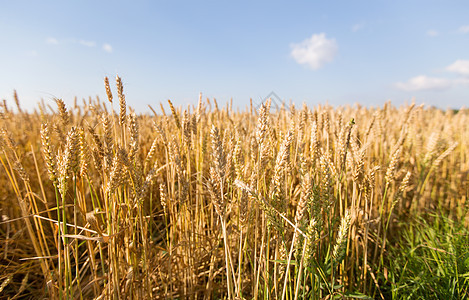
[{"x": 343, "y": 52}]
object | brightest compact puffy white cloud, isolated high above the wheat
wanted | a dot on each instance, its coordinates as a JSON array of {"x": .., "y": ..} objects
[{"x": 314, "y": 52}]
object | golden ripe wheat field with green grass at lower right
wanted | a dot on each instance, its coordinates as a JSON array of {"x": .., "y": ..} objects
[{"x": 207, "y": 202}]
